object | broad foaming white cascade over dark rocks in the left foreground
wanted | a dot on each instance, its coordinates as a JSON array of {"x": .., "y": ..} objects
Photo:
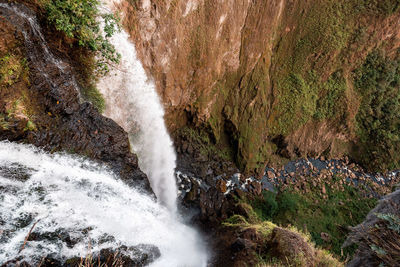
[{"x": 69, "y": 194}]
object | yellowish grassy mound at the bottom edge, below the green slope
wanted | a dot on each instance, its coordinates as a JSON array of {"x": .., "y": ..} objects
[{"x": 279, "y": 246}]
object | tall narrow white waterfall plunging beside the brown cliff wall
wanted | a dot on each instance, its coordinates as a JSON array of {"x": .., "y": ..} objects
[{"x": 132, "y": 101}]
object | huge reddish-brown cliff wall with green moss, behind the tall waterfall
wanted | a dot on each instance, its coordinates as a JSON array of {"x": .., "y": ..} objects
[{"x": 269, "y": 79}]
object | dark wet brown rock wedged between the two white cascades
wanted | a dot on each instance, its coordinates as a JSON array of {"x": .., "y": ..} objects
[{"x": 61, "y": 121}]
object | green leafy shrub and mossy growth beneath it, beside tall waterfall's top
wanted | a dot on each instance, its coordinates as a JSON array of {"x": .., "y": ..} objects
[{"x": 86, "y": 25}]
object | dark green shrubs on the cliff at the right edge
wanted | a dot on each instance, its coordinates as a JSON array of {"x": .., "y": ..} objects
[{"x": 378, "y": 119}]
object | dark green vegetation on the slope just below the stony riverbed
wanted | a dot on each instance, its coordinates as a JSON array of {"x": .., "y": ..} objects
[{"x": 336, "y": 211}]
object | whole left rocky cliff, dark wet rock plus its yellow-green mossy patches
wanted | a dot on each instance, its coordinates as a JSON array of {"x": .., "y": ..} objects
[{"x": 40, "y": 100}]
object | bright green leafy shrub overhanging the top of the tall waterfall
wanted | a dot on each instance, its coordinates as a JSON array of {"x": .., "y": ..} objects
[{"x": 79, "y": 19}]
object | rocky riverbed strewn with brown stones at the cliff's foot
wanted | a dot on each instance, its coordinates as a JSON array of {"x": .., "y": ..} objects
[{"x": 303, "y": 175}]
